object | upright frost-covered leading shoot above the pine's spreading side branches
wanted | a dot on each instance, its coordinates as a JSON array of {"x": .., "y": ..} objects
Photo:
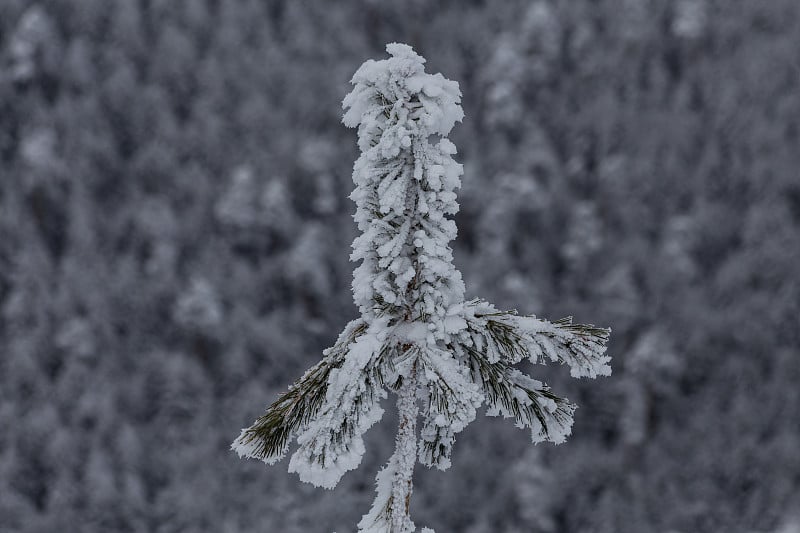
[{"x": 405, "y": 187}]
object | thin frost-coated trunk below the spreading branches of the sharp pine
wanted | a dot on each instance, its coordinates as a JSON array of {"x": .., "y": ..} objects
[{"x": 405, "y": 455}]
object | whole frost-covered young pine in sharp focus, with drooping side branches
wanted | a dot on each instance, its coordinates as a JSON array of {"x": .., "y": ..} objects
[{"x": 443, "y": 356}]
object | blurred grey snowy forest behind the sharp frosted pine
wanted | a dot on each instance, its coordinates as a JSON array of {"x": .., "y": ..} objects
[{"x": 175, "y": 232}]
